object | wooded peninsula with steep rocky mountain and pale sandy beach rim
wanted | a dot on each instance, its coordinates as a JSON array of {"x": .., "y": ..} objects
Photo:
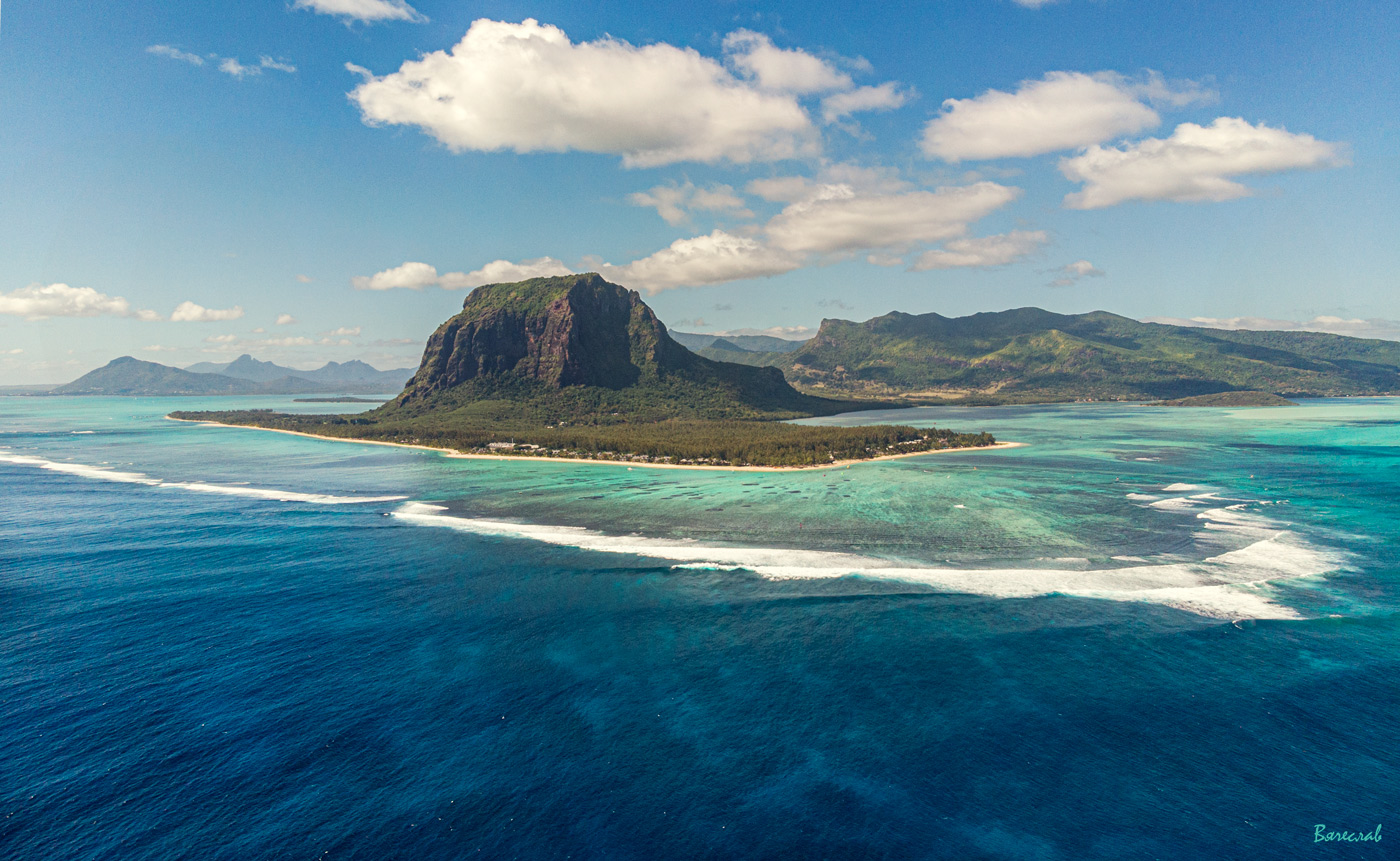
[{"x": 582, "y": 369}]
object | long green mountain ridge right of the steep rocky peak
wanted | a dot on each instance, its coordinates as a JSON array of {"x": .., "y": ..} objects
[{"x": 1035, "y": 355}]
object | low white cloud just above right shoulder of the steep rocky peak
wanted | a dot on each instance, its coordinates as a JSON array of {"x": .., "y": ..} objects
[{"x": 710, "y": 260}]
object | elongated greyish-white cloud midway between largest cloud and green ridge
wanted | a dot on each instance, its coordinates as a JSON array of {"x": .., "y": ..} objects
[{"x": 839, "y": 219}]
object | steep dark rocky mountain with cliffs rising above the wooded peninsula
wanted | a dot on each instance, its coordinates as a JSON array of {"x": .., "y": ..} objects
[{"x": 582, "y": 349}]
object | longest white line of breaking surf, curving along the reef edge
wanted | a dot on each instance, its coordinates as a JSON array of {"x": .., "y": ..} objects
[{"x": 1231, "y": 586}]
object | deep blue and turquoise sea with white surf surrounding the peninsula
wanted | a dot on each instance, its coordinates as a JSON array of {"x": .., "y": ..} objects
[{"x": 1146, "y": 635}]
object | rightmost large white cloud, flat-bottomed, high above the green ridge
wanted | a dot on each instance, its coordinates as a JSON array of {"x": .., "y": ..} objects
[{"x": 1193, "y": 164}]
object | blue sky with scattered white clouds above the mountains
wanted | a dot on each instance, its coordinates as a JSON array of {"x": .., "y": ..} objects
[{"x": 325, "y": 180}]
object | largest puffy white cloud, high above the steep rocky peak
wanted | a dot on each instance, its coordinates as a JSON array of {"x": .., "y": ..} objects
[{"x": 526, "y": 87}]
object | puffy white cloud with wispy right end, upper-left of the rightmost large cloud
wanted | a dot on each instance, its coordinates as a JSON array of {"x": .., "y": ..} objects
[{"x": 1062, "y": 111}]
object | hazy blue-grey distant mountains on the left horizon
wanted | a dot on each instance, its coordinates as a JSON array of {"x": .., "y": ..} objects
[{"x": 246, "y": 376}]
